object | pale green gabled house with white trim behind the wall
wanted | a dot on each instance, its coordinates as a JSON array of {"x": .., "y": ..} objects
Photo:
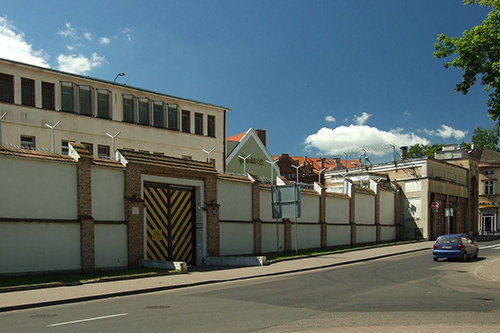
[{"x": 247, "y": 152}]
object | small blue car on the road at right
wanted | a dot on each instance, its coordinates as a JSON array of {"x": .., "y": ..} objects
[{"x": 458, "y": 246}]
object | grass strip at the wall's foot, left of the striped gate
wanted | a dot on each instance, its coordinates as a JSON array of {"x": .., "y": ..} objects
[{"x": 78, "y": 278}]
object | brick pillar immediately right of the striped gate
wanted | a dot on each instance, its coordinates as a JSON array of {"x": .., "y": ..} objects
[{"x": 213, "y": 227}]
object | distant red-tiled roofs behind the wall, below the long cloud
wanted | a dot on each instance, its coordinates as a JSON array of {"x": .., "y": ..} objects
[{"x": 310, "y": 168}]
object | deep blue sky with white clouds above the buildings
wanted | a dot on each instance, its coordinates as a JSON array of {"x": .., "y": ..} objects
[{"x": 323, "y": 78}]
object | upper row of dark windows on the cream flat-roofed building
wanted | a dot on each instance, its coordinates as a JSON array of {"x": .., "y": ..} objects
[{"x": 89, "y": 101}]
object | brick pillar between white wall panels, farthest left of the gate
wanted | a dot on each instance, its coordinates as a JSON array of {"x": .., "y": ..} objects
[{"x": 87, "y": 238}]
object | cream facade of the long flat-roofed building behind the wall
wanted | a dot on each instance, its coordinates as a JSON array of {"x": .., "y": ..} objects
[{"x": 46, "y": 109}]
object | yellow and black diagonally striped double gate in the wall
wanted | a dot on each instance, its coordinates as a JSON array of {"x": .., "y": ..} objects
[{"x": 170, "y": 221}]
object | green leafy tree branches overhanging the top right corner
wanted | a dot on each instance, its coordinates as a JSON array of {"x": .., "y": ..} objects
[{"x": 477, "y": 53}]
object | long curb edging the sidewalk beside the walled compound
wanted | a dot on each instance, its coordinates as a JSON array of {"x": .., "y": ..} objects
[{"x": 192, "y": 284}]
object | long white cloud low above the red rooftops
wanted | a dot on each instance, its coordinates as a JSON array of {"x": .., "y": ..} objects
[{"x": 355, "y": 137}]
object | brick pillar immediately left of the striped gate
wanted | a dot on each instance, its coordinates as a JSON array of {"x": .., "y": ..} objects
[{"x": 134, "y": 214}]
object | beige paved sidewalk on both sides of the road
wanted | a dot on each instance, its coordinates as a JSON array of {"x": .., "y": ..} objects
[{"x": 33, "y": 298}]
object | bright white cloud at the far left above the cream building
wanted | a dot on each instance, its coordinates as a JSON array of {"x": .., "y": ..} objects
[{"x": 14, "y": 47}]
